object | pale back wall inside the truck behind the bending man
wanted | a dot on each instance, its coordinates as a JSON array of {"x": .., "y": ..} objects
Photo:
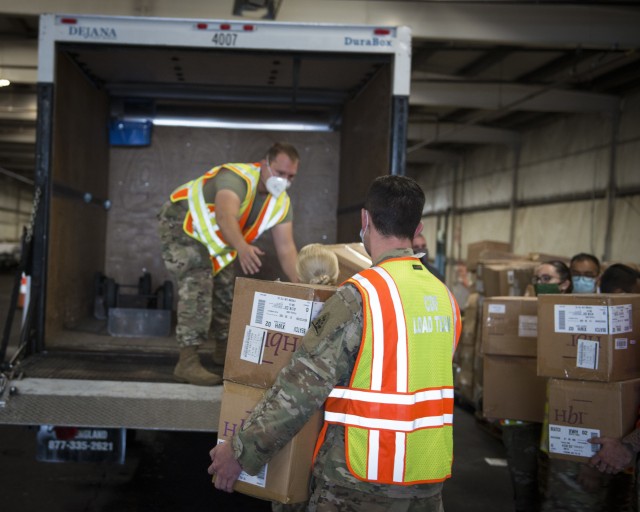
[{"x": 142, "y": 178}]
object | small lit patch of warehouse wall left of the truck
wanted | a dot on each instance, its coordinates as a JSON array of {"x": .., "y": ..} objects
[{"x": 16, "y": 199}]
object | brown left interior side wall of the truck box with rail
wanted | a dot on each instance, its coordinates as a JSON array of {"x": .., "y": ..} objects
[{"x": 77, "y": 230}]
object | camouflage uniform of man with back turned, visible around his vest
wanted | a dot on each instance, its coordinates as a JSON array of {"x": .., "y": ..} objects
[{"x": 325, "y": 359}]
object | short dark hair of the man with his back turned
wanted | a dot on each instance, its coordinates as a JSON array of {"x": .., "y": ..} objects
[{"x": 395, "y": 205}]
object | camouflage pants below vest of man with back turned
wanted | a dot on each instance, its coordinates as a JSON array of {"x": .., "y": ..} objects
[{"x": 327, "y": 497}]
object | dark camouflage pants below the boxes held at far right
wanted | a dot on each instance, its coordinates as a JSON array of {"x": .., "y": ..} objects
[{"x": 577, "y": 487}]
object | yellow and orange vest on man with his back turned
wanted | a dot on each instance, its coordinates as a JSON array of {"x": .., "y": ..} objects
[{"x": 398, "y": 407}]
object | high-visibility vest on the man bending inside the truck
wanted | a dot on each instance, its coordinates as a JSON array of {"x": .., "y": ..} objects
[{"x": 200, "y": 221}]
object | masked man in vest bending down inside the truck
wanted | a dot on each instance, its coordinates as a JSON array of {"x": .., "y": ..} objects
[{"x": 207, "y": 224}]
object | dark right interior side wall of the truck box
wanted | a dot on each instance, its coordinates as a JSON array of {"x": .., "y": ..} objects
[{"x": 365, "y": 150}]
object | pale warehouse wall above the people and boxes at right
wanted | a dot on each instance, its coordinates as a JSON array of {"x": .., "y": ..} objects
[{"x": 563, "y": 173}]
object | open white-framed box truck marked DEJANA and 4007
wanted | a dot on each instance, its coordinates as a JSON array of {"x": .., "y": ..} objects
[{"x": 128, "y": 109}]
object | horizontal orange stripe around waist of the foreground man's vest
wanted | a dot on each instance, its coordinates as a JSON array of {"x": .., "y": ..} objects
[{"x": 399, "y": 412}]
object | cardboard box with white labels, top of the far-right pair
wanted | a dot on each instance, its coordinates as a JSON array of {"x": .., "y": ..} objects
[{"x": 589, "y": 336}]
